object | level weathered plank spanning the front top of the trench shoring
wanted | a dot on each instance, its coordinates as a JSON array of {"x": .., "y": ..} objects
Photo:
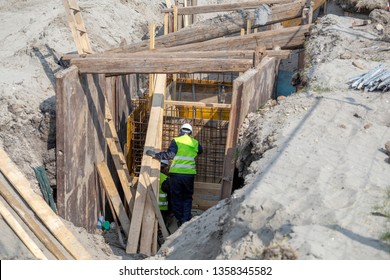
[{"x": 159, "y": 65}]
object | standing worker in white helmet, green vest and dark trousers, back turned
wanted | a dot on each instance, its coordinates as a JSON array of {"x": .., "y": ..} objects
[{"x": 182, "y": 150}]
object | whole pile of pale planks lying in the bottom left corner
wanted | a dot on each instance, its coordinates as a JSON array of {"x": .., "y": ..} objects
[{"x": 21, "y": 186}]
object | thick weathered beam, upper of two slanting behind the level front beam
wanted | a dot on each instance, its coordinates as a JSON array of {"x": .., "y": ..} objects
[{"x": 212, "y": 28}]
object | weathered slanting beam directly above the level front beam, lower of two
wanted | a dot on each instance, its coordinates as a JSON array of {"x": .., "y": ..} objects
[{"x": 286, "y": 38}]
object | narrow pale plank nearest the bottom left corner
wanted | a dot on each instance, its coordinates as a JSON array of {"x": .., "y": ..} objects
[{"x": 21, "y": 233}]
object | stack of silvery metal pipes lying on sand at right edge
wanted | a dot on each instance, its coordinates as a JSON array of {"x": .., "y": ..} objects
[{"x": 376, "y": 79}]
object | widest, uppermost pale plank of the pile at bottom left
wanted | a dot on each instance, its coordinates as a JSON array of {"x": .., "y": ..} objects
[{"x": 41, "y": 209}]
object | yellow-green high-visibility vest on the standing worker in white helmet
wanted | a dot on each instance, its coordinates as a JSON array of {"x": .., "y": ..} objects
[{"x": 184, "y": 160}]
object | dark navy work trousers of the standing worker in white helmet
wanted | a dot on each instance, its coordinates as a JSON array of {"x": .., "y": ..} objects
[{"x": 182, "y": 189}]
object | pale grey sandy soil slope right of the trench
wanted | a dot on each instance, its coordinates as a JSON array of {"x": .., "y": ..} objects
[{"x": 314, "y": 165}]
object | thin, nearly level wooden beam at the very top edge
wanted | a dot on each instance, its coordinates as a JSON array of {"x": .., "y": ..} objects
[{"x": 216, "y": 8}]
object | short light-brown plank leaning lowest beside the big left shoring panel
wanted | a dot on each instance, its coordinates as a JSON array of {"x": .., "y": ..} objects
[{"x": 113, "y": 195}]
